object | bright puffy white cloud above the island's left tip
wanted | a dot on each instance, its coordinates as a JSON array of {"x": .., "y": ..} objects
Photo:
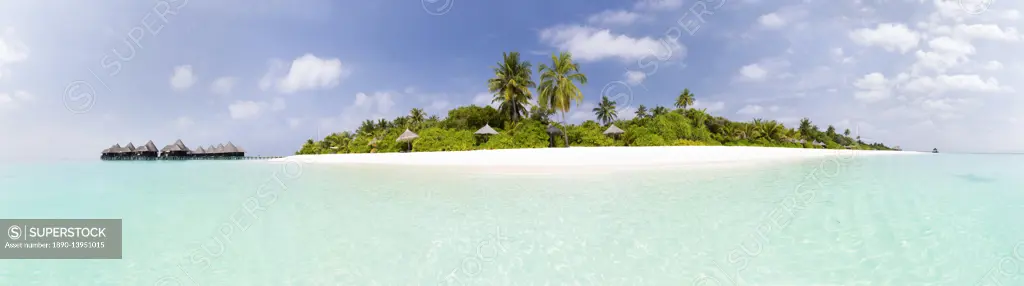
[{"x": 306, "y": 73}]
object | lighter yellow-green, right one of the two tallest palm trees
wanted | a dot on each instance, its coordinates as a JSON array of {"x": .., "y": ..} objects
[{"x": 558, "y": 91}]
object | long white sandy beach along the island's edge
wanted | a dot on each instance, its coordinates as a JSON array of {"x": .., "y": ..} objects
[{"x": 589, "y": 157}]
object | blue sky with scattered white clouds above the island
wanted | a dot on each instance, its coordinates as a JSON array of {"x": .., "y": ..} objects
[{"x": 77, "y": 77}]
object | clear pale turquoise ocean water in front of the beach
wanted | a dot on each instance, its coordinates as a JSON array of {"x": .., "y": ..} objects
[{"x": 929, "y": 220}]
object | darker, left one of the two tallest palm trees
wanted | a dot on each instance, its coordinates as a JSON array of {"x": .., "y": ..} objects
[{"x": 511, "y": 85}]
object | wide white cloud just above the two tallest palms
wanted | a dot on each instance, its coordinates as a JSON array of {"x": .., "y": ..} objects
[{"x": 590, "y": 45}]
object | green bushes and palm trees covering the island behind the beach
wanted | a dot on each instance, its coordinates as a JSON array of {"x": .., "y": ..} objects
[{"x": 523, "y": 126}]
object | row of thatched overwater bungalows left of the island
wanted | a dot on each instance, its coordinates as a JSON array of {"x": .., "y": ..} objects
[{"x": 177, "y": 151}]
